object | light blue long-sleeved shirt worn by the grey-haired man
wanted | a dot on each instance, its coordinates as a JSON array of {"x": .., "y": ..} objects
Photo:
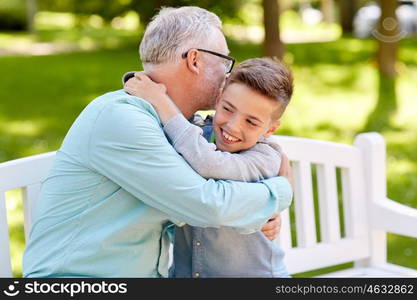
[{"x": 115, "y": 188}]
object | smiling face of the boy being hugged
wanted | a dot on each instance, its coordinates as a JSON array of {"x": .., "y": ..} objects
[{"x": 242, "y": 117}]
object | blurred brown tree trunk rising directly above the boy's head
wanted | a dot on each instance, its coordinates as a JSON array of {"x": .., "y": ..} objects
[{"x": 273, "y": 45}]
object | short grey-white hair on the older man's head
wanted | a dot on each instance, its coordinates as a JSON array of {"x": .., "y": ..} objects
[{"x": 173, "y": 31}]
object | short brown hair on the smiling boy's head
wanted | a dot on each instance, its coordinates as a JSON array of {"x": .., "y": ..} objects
[{"x": 267, "y": 76}]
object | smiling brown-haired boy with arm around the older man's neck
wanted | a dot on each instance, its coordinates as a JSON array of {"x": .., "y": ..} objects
[{"x": 247, "y": 114}]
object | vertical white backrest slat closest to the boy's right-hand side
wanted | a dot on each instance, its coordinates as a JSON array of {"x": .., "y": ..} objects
[{"x": 304, "y": 206}]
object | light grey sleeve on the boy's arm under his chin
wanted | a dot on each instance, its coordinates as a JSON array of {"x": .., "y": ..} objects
[{"x": 257, "y": 163}]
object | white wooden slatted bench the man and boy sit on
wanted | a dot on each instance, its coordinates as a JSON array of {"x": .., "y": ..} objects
[{"x": 359, "y": 197}]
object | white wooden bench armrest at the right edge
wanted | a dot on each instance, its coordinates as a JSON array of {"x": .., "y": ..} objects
[{"x": 394, "y": 217}]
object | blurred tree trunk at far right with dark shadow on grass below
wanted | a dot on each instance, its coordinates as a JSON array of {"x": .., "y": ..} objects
[{"x": 388, "y": 35}]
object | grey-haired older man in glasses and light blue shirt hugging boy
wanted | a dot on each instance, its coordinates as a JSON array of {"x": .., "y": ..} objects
[{"x": 117, "y": 186}]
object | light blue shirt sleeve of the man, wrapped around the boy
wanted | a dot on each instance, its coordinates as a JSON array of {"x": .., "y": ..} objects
[{"x": 129, "y": 147}]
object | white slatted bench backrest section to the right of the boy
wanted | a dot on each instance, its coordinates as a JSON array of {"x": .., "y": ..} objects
[{"x": 331, "y": 248}]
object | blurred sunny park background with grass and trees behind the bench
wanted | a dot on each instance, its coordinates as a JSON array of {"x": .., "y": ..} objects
[{"x": 353, "y": 73}]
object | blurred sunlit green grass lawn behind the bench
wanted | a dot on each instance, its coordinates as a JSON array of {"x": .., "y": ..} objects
[{"x": 335, "y": 90}]
